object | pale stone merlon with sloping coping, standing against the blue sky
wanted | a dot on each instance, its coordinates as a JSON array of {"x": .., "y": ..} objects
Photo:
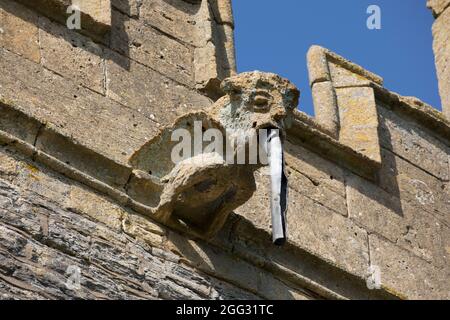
[{"x": 344, "y": 101}]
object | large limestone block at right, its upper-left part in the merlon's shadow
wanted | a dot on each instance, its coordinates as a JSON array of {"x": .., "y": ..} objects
[{"x": 401, "y": 223}]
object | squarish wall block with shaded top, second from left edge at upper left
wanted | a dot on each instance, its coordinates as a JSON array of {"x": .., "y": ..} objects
[{"x": 72, "y": 55}]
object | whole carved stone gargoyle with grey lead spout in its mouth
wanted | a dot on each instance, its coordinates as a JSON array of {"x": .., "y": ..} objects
[{"x": 197, "y": 185}]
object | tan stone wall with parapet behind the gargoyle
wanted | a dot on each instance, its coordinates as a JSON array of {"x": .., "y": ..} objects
[{"x": 369, "y": 177}]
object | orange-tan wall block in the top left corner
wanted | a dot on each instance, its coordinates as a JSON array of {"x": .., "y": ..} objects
[{"x": 18, "y": 30}]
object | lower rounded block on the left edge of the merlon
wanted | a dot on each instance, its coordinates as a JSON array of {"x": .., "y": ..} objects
[{"x": 325, "y": 107}]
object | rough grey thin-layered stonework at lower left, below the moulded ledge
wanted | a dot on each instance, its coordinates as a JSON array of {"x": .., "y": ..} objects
[{"x": 112, "y": 265}]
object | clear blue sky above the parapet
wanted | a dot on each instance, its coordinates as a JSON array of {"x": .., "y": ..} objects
[{"x": 274, "y": 36}]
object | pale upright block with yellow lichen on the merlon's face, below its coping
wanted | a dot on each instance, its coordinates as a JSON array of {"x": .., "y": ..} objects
[{"x": 359, "y": 120}]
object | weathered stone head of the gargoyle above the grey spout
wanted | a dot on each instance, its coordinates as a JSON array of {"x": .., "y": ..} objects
[{"x": 261, "y": 100}]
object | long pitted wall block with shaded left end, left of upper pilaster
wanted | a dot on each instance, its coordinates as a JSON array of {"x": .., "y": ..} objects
[{"x": 153, "y": 49}]
